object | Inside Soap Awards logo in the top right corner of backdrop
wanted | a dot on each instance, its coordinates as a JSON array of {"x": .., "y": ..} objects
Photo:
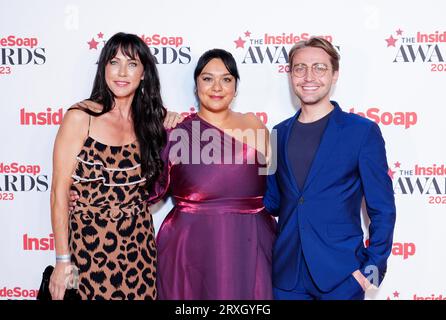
[{"x": 426, "y": 47}]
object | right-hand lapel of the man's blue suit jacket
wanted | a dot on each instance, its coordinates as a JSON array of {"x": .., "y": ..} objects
[{"x": 328, "y": 143}]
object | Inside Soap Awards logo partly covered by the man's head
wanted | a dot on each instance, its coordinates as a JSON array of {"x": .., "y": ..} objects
[{"x": 269, "y": 48}]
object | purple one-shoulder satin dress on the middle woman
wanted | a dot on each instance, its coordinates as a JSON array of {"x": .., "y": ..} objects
[{"x": 217, "y": 241}]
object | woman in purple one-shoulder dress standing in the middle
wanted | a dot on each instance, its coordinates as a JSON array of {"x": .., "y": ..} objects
[{"x": 217, "y": 241}]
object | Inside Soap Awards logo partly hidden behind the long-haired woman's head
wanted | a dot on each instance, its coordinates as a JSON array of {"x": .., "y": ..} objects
[{"x": 167, "y": 49}]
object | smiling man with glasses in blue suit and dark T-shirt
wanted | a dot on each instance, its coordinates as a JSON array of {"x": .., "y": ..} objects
[{"x": 328, "y": 161}]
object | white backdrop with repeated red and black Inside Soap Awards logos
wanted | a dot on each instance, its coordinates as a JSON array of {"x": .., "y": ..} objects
[{"x": 393, "y": 71}]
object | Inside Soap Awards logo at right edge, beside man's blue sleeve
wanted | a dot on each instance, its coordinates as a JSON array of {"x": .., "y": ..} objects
[{"x": 426, "y": 180}]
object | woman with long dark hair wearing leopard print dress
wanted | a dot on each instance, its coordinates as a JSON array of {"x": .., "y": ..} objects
[{"x": 108, "y": 150}]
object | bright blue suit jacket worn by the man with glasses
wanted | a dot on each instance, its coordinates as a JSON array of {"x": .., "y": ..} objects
[{"x": 349, "y": 165}]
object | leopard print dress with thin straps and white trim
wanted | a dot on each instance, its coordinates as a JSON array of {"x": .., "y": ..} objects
[{"x": 111, "y": 233}]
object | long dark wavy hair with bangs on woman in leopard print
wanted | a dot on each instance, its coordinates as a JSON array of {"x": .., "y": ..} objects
[{"x": 148, "y": 112}]
